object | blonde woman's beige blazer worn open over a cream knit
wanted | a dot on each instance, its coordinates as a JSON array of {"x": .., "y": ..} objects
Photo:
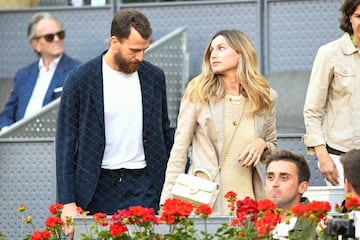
[{"x": 202, "y": 127}]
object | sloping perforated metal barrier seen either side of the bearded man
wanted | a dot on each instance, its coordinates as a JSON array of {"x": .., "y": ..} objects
[{"x": 169, "y": 53}]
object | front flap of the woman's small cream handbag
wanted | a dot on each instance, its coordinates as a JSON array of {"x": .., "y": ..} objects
[{"x": 194, "y": 182}]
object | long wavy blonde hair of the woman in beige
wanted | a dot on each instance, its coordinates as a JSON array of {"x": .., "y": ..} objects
[{"x": 208, "y": 84}]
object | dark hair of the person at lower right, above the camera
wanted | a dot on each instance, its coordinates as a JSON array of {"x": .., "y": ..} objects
[{"x": 351, "y": 163}]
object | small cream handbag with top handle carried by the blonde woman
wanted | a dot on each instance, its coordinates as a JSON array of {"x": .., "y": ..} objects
[{"x": 195, "y": 189}]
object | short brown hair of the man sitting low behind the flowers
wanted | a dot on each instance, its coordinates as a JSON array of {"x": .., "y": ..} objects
[{"x": 303, "y": 169}]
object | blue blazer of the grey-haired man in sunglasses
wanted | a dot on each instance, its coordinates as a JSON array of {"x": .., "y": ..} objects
[{"x": 23, "y": 86}]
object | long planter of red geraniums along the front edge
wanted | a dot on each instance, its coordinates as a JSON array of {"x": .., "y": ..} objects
[{"x": 248, "y": 218}]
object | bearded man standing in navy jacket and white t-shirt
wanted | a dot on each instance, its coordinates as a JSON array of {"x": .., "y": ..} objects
[{"x": 113, "y": 131}]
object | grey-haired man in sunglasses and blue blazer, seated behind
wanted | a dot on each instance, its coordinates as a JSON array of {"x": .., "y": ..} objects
[{"x": 41, "y": 82}]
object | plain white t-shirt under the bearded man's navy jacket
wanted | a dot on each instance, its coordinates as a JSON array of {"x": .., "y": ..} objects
[{"x": 123, "y": 120}]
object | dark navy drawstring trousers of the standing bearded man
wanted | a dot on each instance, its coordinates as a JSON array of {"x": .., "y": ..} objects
[{"x": 120, "y": 189}]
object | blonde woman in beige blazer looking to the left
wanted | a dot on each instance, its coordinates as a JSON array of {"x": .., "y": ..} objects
[{"x": 227, "y": 118}]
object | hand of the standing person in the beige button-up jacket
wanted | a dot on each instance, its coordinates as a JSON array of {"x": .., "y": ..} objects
[{"x": 326, "y": 165}]
